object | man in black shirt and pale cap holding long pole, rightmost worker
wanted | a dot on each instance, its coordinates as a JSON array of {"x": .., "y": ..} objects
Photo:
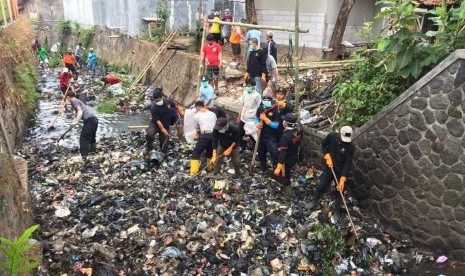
[{"x": 338, "y": 152}]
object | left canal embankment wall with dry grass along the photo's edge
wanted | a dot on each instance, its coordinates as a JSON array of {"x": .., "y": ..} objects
[{"x": 17, "y": 100}]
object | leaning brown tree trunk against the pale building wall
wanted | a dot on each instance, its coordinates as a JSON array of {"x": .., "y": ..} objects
[{"x": 339, "y": 29}]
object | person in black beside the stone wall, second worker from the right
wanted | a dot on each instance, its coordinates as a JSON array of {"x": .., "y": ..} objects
[{"x": 288, "y": 148}]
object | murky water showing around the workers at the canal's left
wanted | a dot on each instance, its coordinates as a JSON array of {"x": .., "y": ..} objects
[{"x": 48, "y": 106}]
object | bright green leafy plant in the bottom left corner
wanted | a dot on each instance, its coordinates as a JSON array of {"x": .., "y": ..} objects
[{"x": 20, "y": 254}]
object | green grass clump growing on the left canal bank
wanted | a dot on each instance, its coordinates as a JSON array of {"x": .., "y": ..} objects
[{"x": 25, "y": 83}]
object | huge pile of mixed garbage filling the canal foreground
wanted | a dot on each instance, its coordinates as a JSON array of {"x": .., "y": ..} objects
[{"x": 127, "y": 215}]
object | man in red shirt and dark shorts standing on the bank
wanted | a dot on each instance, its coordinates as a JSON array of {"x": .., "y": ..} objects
[{"x": 211, "y": 59}]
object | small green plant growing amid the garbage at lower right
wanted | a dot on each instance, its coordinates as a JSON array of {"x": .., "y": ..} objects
[{"x": 333, "y": 245}]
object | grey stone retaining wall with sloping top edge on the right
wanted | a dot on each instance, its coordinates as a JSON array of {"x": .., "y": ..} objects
[{"x": 410, "y": 164}]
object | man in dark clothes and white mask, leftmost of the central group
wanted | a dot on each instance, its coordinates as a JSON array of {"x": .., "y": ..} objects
[{"x": 160, "y": 123}]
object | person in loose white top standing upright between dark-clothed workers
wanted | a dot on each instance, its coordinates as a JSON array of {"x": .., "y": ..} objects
[{"x": 251, "y": 100}]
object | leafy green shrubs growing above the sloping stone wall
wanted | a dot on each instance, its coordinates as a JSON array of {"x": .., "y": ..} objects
[{"x": 401, "y": 58}]
